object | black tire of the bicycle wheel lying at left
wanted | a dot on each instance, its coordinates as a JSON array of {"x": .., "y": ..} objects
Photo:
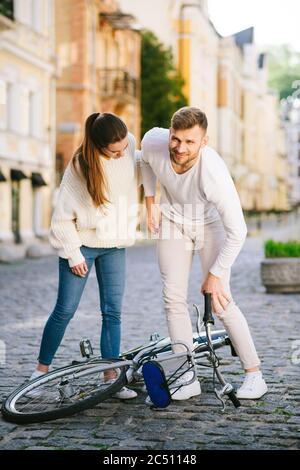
[{"x": 10, "y": 413}]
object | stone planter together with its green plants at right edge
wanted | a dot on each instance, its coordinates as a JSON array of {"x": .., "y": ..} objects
[{"x": 280, "y": 271}]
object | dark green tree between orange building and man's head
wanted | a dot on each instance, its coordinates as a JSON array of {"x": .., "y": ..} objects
[{"x": 161, "y": 84}]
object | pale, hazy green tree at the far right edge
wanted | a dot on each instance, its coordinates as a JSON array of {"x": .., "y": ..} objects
[{"x": 284, "y": 70}]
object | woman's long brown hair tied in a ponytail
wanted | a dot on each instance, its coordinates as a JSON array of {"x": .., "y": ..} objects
[{"x": 101, "y": 129}]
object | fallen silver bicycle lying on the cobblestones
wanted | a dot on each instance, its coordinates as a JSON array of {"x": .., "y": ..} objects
[{"x": 84, "y": 384}]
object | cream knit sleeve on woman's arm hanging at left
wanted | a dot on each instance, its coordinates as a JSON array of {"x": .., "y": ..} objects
[{"x": 63, "y": 234}]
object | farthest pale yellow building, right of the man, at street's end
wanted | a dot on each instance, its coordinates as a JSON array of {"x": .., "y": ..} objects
[{"x": 265, "y": 185}]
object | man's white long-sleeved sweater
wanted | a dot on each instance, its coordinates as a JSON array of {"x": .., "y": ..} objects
[{"x": 203, "y": 194}]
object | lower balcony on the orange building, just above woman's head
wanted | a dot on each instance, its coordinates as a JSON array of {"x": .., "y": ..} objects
[{"x": 118, "y": 84}]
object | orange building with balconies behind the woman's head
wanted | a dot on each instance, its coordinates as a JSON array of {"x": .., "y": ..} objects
[{"x": 98, "y": 47}]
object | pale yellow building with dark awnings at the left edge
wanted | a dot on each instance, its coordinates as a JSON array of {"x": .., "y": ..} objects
[{"x": 27, "y": 119}]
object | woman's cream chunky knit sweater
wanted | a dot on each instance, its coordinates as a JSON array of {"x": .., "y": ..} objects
[{"x": 76, "y": 221}]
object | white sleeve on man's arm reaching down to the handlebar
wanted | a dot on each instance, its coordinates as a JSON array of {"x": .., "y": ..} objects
[{"x": 220, "y": 190}]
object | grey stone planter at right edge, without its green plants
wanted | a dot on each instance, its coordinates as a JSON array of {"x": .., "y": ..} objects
[{"x": 281, "y": 275}]
